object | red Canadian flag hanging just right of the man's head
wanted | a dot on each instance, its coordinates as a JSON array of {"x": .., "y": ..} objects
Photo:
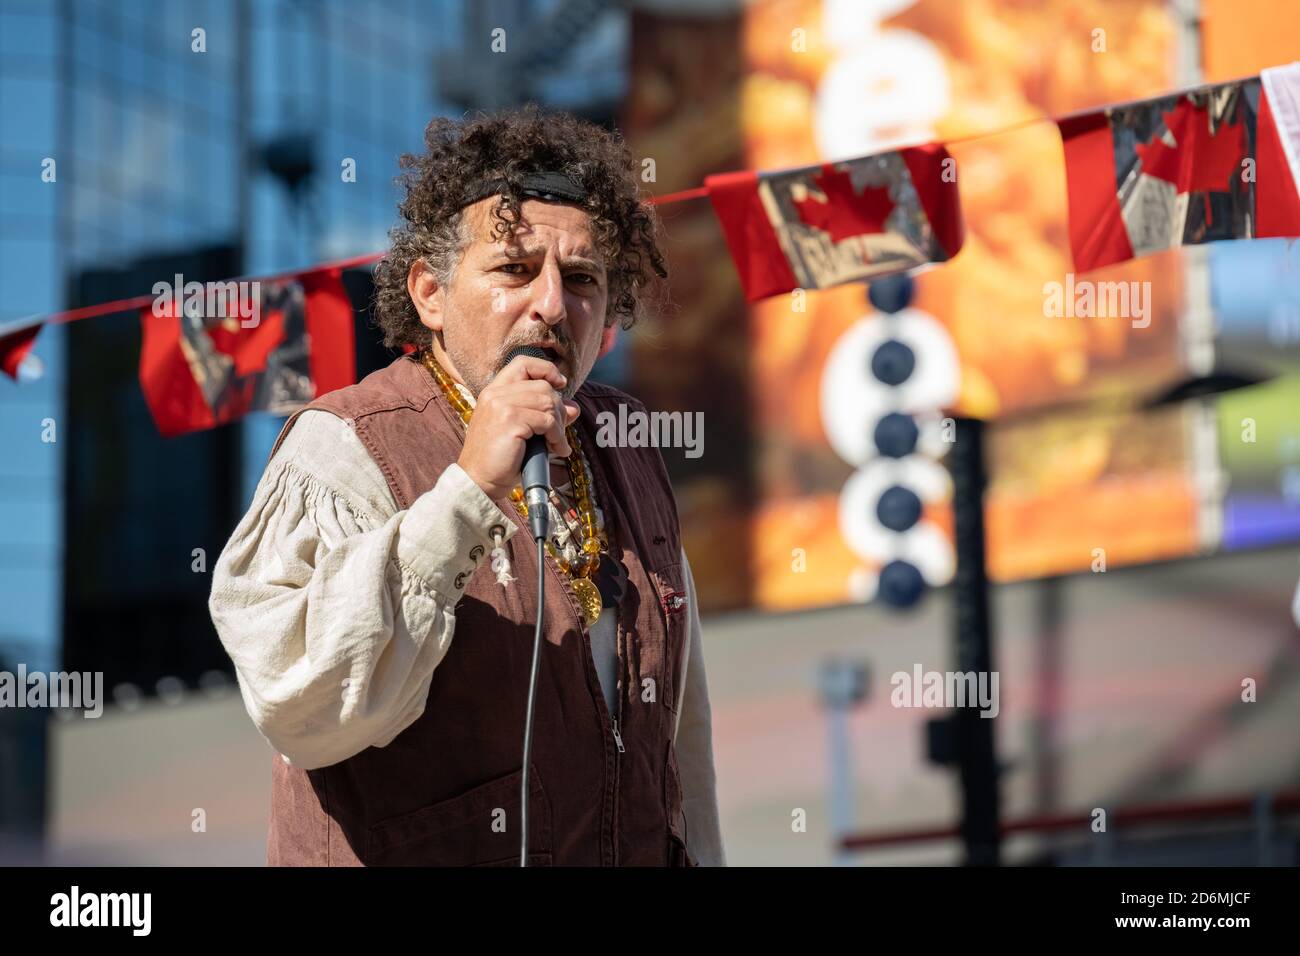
[{"x": 838, "y": 223}]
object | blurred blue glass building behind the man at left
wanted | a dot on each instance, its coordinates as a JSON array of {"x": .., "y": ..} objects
[{"x": 206, "y": 137}]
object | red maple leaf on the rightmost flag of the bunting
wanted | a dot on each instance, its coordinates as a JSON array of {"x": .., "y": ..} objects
[{"x": 1199, "y": 161}]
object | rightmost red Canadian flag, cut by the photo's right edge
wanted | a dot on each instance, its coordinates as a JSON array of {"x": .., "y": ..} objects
[{"x": 1216, "y": 163}]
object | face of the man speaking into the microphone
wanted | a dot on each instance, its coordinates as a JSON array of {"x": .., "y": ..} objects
[{"x": 547, "y": 287}]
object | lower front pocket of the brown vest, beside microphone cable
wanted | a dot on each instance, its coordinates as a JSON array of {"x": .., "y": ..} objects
[{"x": 479, "y": 828}]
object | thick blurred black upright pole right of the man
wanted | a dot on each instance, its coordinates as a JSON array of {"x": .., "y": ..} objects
[{"x": 977, "y": 758}]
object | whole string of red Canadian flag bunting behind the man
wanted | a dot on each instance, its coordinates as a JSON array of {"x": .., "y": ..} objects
[{"x": 1219, "y": 162}]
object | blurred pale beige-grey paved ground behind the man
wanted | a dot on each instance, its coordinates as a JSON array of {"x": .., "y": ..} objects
[{"x": 1149, "y": 710}]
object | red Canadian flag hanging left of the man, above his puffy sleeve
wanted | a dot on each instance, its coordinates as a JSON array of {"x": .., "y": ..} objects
[{"x": 265, "y": 347}]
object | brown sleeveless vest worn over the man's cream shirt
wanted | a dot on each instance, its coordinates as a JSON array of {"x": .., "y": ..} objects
[{"x": 447, "y": 790}]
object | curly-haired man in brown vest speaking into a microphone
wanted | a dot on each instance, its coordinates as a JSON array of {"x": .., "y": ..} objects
[{"x": 391, "y": 669}]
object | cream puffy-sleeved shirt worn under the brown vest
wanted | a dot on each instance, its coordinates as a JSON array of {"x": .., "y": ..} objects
[{"x": 337, "y": 608}]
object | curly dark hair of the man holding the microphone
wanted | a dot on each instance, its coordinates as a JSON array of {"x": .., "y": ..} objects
[{"x": 509, "y": 145}]
